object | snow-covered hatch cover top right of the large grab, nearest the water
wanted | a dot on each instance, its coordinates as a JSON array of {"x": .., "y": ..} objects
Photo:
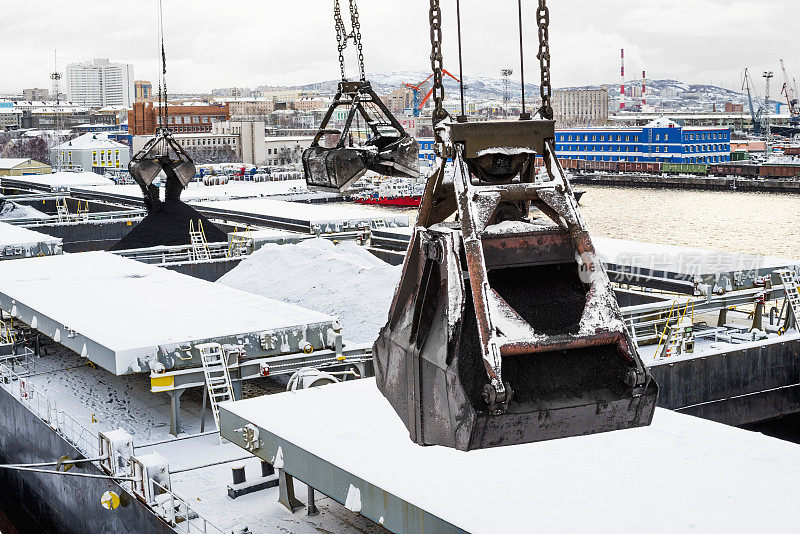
[{"x": 680, "y": 259}]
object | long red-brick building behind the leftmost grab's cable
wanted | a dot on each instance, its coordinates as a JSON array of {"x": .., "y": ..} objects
[{"x": 188, "y": 118}]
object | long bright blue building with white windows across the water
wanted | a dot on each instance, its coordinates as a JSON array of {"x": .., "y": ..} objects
[{"x": 660, "y": 141}]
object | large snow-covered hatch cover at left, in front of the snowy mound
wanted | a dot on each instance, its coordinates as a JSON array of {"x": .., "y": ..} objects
[{"x": 131, "y": 308}]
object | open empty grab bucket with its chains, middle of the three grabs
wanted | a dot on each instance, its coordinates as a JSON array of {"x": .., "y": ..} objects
[{"x": 388, "y": 149}]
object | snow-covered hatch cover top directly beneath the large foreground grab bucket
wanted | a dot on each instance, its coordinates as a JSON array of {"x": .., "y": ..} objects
[{"x": 679, "y": 474}]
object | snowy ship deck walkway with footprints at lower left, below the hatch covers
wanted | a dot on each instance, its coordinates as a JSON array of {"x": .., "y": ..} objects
[{"x": 100, "y": 401}]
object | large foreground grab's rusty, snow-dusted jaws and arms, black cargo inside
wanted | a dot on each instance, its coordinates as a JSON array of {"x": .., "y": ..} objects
[{"x": 531, "y": 290}]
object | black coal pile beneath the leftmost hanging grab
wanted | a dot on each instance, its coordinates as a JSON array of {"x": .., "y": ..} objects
[{"x": 168, "y": 225}]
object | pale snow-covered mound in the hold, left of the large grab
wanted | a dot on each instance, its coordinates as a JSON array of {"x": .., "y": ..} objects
[{"x": 343, "y": 280}]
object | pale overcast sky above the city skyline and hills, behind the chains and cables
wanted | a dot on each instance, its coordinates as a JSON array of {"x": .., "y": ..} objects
[{"x": 247, "y": 43}]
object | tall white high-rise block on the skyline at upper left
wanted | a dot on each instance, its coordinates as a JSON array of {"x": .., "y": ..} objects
[{"x": 100, "y": 83}]
